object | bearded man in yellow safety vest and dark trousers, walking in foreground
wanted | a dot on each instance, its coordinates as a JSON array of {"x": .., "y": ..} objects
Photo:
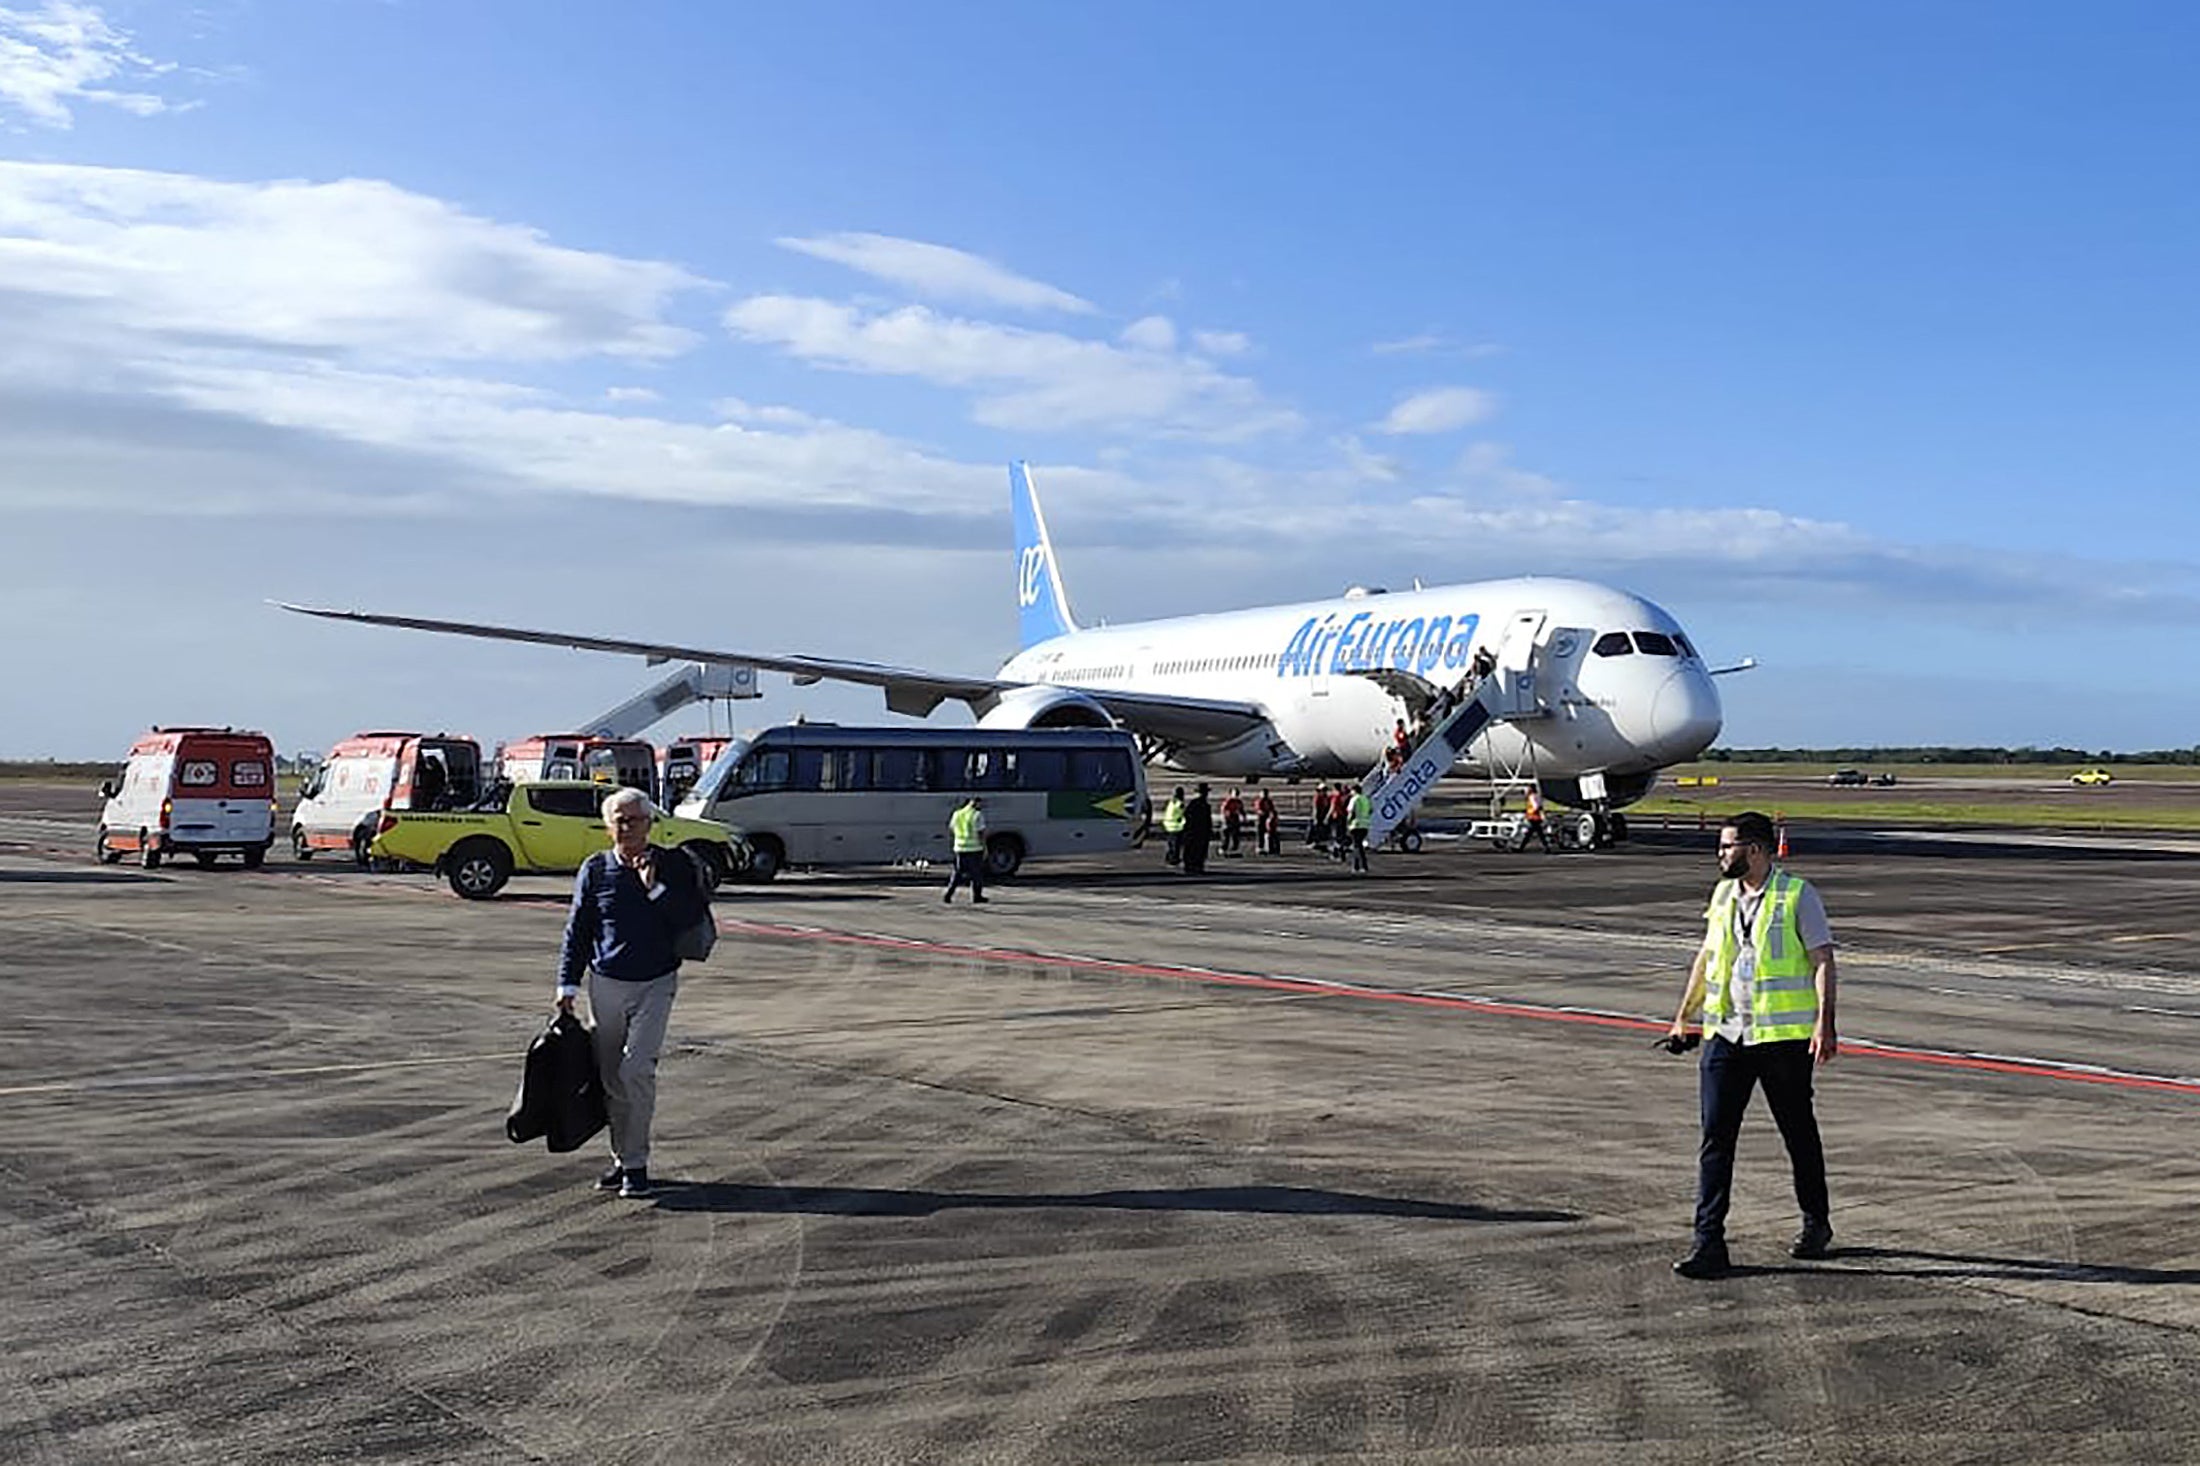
[{"x": 1765, "y": 985}]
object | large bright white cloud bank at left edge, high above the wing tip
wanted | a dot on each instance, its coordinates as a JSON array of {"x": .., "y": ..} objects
[{"x": 316, "y": 267}]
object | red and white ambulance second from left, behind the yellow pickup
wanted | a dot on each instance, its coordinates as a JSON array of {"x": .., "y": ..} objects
[{"x": 368, "y": 774}]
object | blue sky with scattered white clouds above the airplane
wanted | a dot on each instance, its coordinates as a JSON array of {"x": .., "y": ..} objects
[{"x": 1860, "y": 338}]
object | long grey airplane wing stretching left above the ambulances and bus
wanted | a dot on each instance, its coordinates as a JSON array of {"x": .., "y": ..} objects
[{"x": 1176, "y": 721}]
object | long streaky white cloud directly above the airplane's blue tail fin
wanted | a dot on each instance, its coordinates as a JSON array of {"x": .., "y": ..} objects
[{"x": 1028, "y": 380}]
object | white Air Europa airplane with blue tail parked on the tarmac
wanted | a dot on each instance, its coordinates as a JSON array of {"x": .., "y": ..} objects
[{"x": 1596, "y": 681}]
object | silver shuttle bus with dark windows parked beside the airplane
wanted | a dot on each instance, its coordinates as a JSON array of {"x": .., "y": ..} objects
[{"x": 828, "y": 796}]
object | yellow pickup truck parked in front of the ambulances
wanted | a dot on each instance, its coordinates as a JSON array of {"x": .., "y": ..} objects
[{"x": 538, "y": 827}]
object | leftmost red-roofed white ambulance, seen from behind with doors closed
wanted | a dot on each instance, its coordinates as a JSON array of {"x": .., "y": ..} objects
[{"x": 192, "y": 791}]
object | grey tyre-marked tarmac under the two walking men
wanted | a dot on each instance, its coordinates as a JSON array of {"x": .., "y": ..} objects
[{"x": 1281, "y": 1166}]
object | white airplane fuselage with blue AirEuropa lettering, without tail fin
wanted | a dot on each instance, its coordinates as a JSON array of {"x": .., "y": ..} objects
[{"x": 1625, "y": 708}]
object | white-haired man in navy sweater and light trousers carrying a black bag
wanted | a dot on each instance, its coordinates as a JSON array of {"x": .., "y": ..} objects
[{"x": 628, "y": 908}]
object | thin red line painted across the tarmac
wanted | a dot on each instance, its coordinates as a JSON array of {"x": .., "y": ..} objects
[{"x": 1497, "y": 1007}]
